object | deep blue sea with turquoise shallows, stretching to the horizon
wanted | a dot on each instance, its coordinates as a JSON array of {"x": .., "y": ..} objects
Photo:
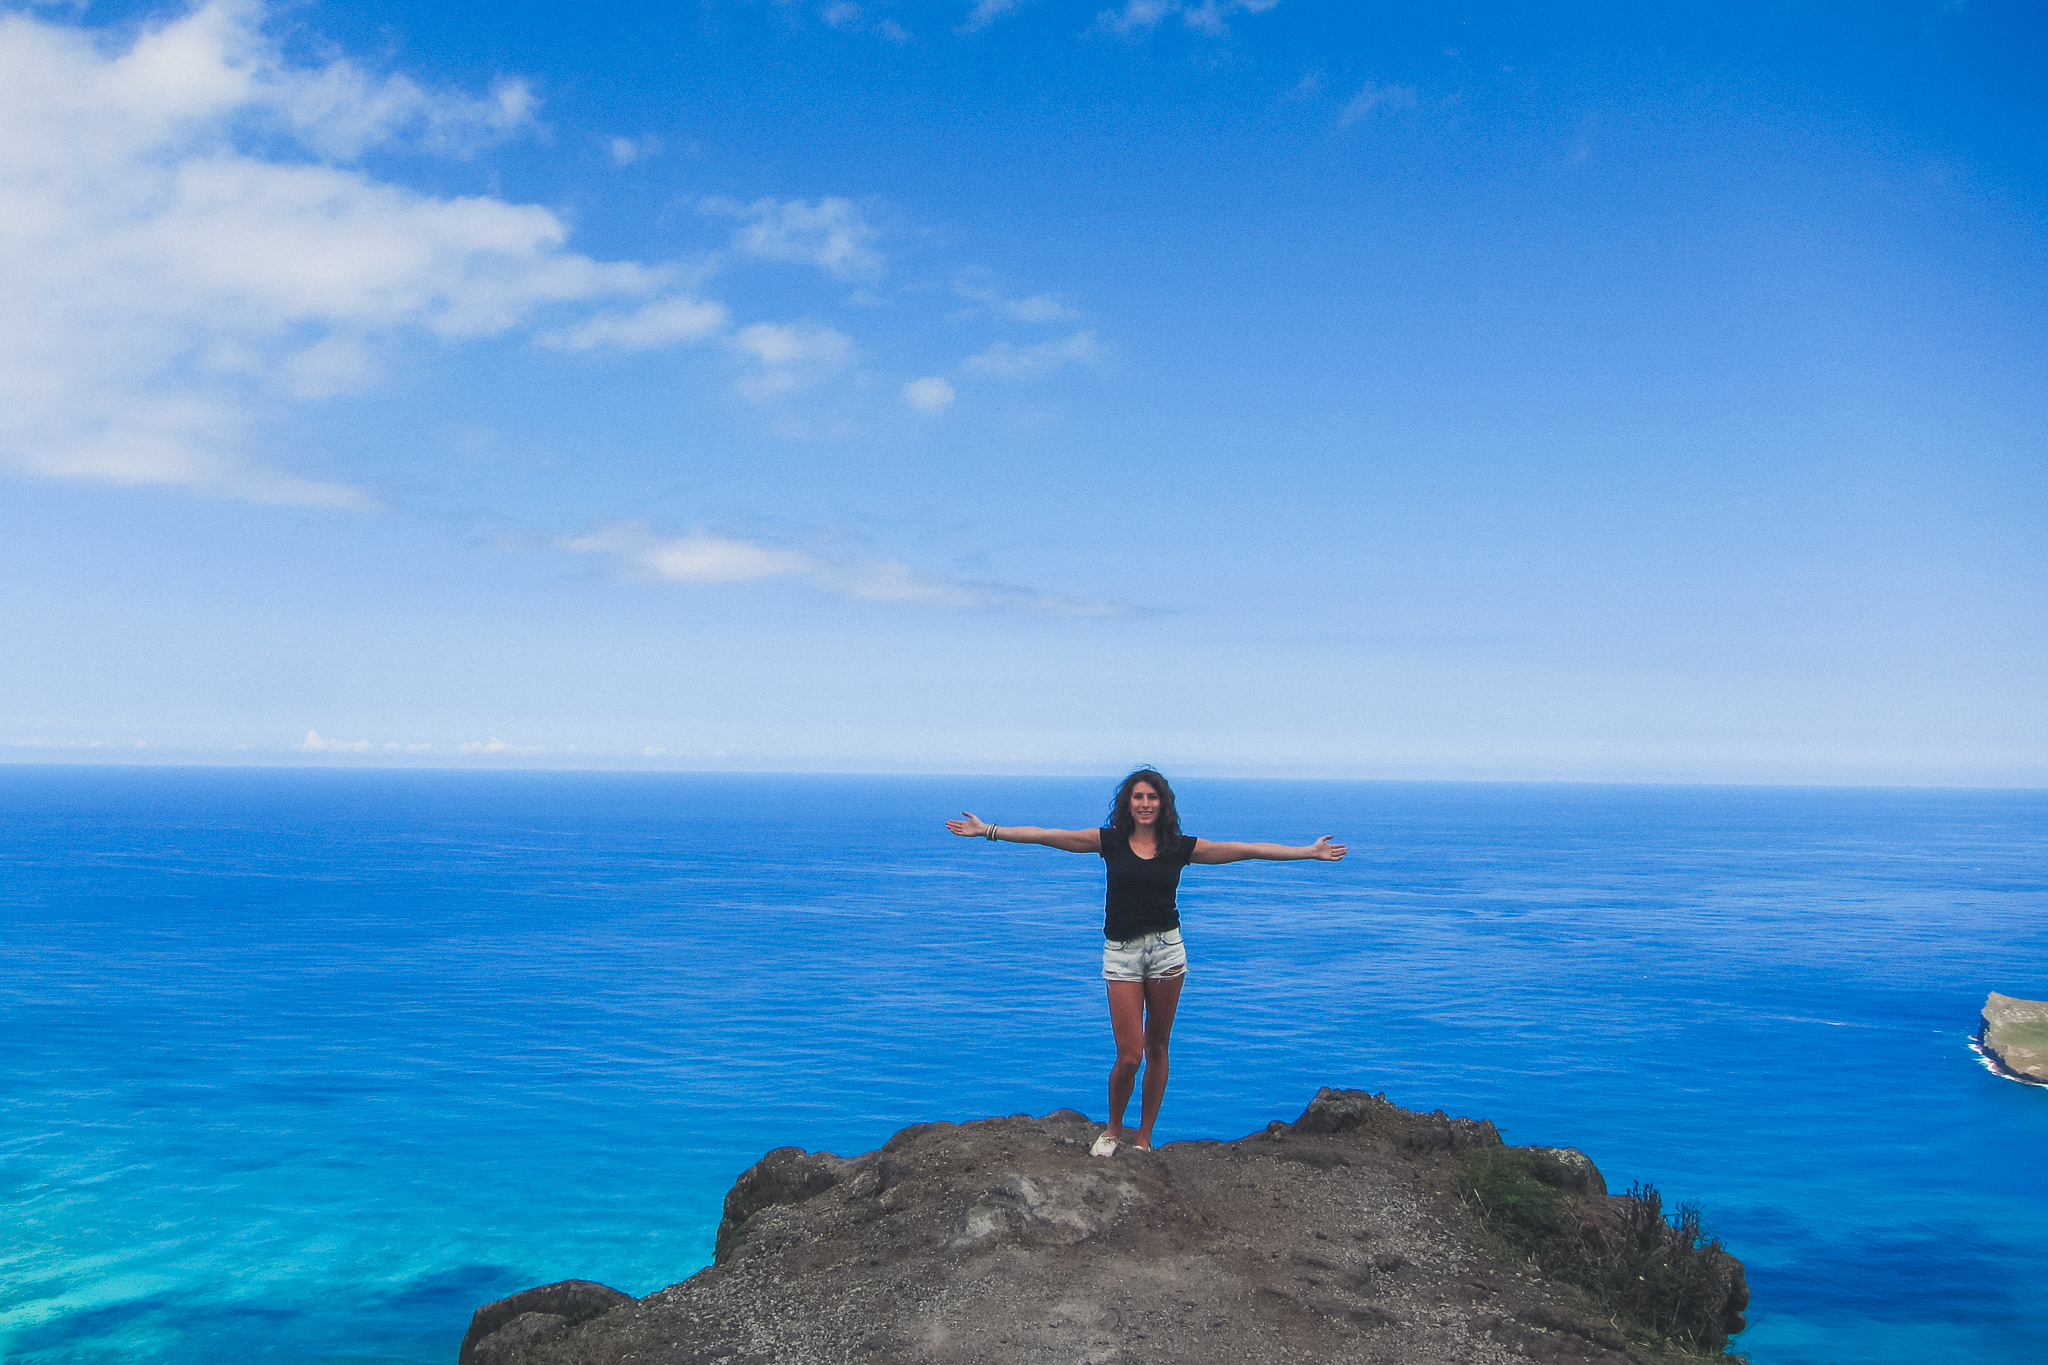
[{"x": 306, "y": 1065}]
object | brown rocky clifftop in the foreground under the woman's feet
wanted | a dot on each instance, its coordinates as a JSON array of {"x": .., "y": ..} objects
[{"x": 1357, "y": 1233}]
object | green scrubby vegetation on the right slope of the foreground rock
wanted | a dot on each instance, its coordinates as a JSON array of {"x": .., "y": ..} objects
[{"x": 1668, "y": 1284}]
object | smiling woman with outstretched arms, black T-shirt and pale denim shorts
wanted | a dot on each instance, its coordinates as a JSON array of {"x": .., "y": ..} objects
[{"x": 1144, "y": 959}]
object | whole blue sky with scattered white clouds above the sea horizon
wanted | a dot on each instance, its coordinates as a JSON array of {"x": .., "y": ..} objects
[{"x": 1578, "y": 392}]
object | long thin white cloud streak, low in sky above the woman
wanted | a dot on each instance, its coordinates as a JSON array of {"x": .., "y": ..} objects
[{"x": 701, "y": 558}]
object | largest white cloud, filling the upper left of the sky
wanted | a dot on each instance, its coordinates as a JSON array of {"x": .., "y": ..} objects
[{"x": 169, "y": 288}]
